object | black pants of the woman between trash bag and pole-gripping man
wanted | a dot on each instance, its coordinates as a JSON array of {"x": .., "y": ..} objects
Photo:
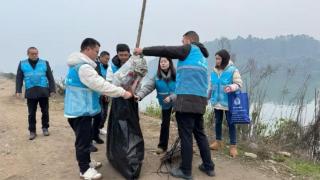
[{"x": 165, "y": 128}]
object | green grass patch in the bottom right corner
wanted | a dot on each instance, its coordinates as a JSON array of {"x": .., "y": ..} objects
[{"x": 304, "y": 168}]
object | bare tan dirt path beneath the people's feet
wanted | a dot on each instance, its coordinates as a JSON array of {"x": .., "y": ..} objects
[{"x": 53, "y": 157}]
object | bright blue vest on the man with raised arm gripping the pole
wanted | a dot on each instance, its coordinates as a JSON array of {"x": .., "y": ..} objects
[{"x": 192, "y": 77}]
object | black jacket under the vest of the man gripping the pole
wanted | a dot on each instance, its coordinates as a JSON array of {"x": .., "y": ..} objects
[{"x": 184, "y": 103}]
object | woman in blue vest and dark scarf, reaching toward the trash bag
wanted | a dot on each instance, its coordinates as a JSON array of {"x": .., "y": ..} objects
[{"x": 165, "y": 84}]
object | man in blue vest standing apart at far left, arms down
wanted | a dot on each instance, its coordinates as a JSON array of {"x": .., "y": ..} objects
[{"x": 39, "y": 85}]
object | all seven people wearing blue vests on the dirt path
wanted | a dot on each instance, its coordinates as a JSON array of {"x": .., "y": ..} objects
[{"x": 185, "y": 89}]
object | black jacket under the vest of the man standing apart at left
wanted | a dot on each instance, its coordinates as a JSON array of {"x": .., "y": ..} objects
[{"x": 35, "y": 92}]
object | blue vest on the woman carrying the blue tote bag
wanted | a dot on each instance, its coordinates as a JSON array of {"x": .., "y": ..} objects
[{"x": 219, "y": 82}]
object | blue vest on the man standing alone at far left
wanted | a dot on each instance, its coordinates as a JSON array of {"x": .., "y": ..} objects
[{"x": 35, "y": 77}]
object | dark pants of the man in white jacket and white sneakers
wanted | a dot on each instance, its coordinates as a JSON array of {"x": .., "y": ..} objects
[{"x": 82, "y": 130}]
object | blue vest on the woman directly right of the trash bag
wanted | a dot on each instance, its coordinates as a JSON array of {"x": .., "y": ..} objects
[{"x": 164, "y": 89}]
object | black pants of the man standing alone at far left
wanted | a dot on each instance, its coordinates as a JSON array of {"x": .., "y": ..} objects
[{"x": 32, "y": 109}]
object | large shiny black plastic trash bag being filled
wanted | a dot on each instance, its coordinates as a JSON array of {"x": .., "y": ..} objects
[{"x": 125, "y": 145}]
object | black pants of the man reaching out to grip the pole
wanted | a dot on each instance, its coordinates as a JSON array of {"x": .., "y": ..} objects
[{"x": 189, "y": 123}]
